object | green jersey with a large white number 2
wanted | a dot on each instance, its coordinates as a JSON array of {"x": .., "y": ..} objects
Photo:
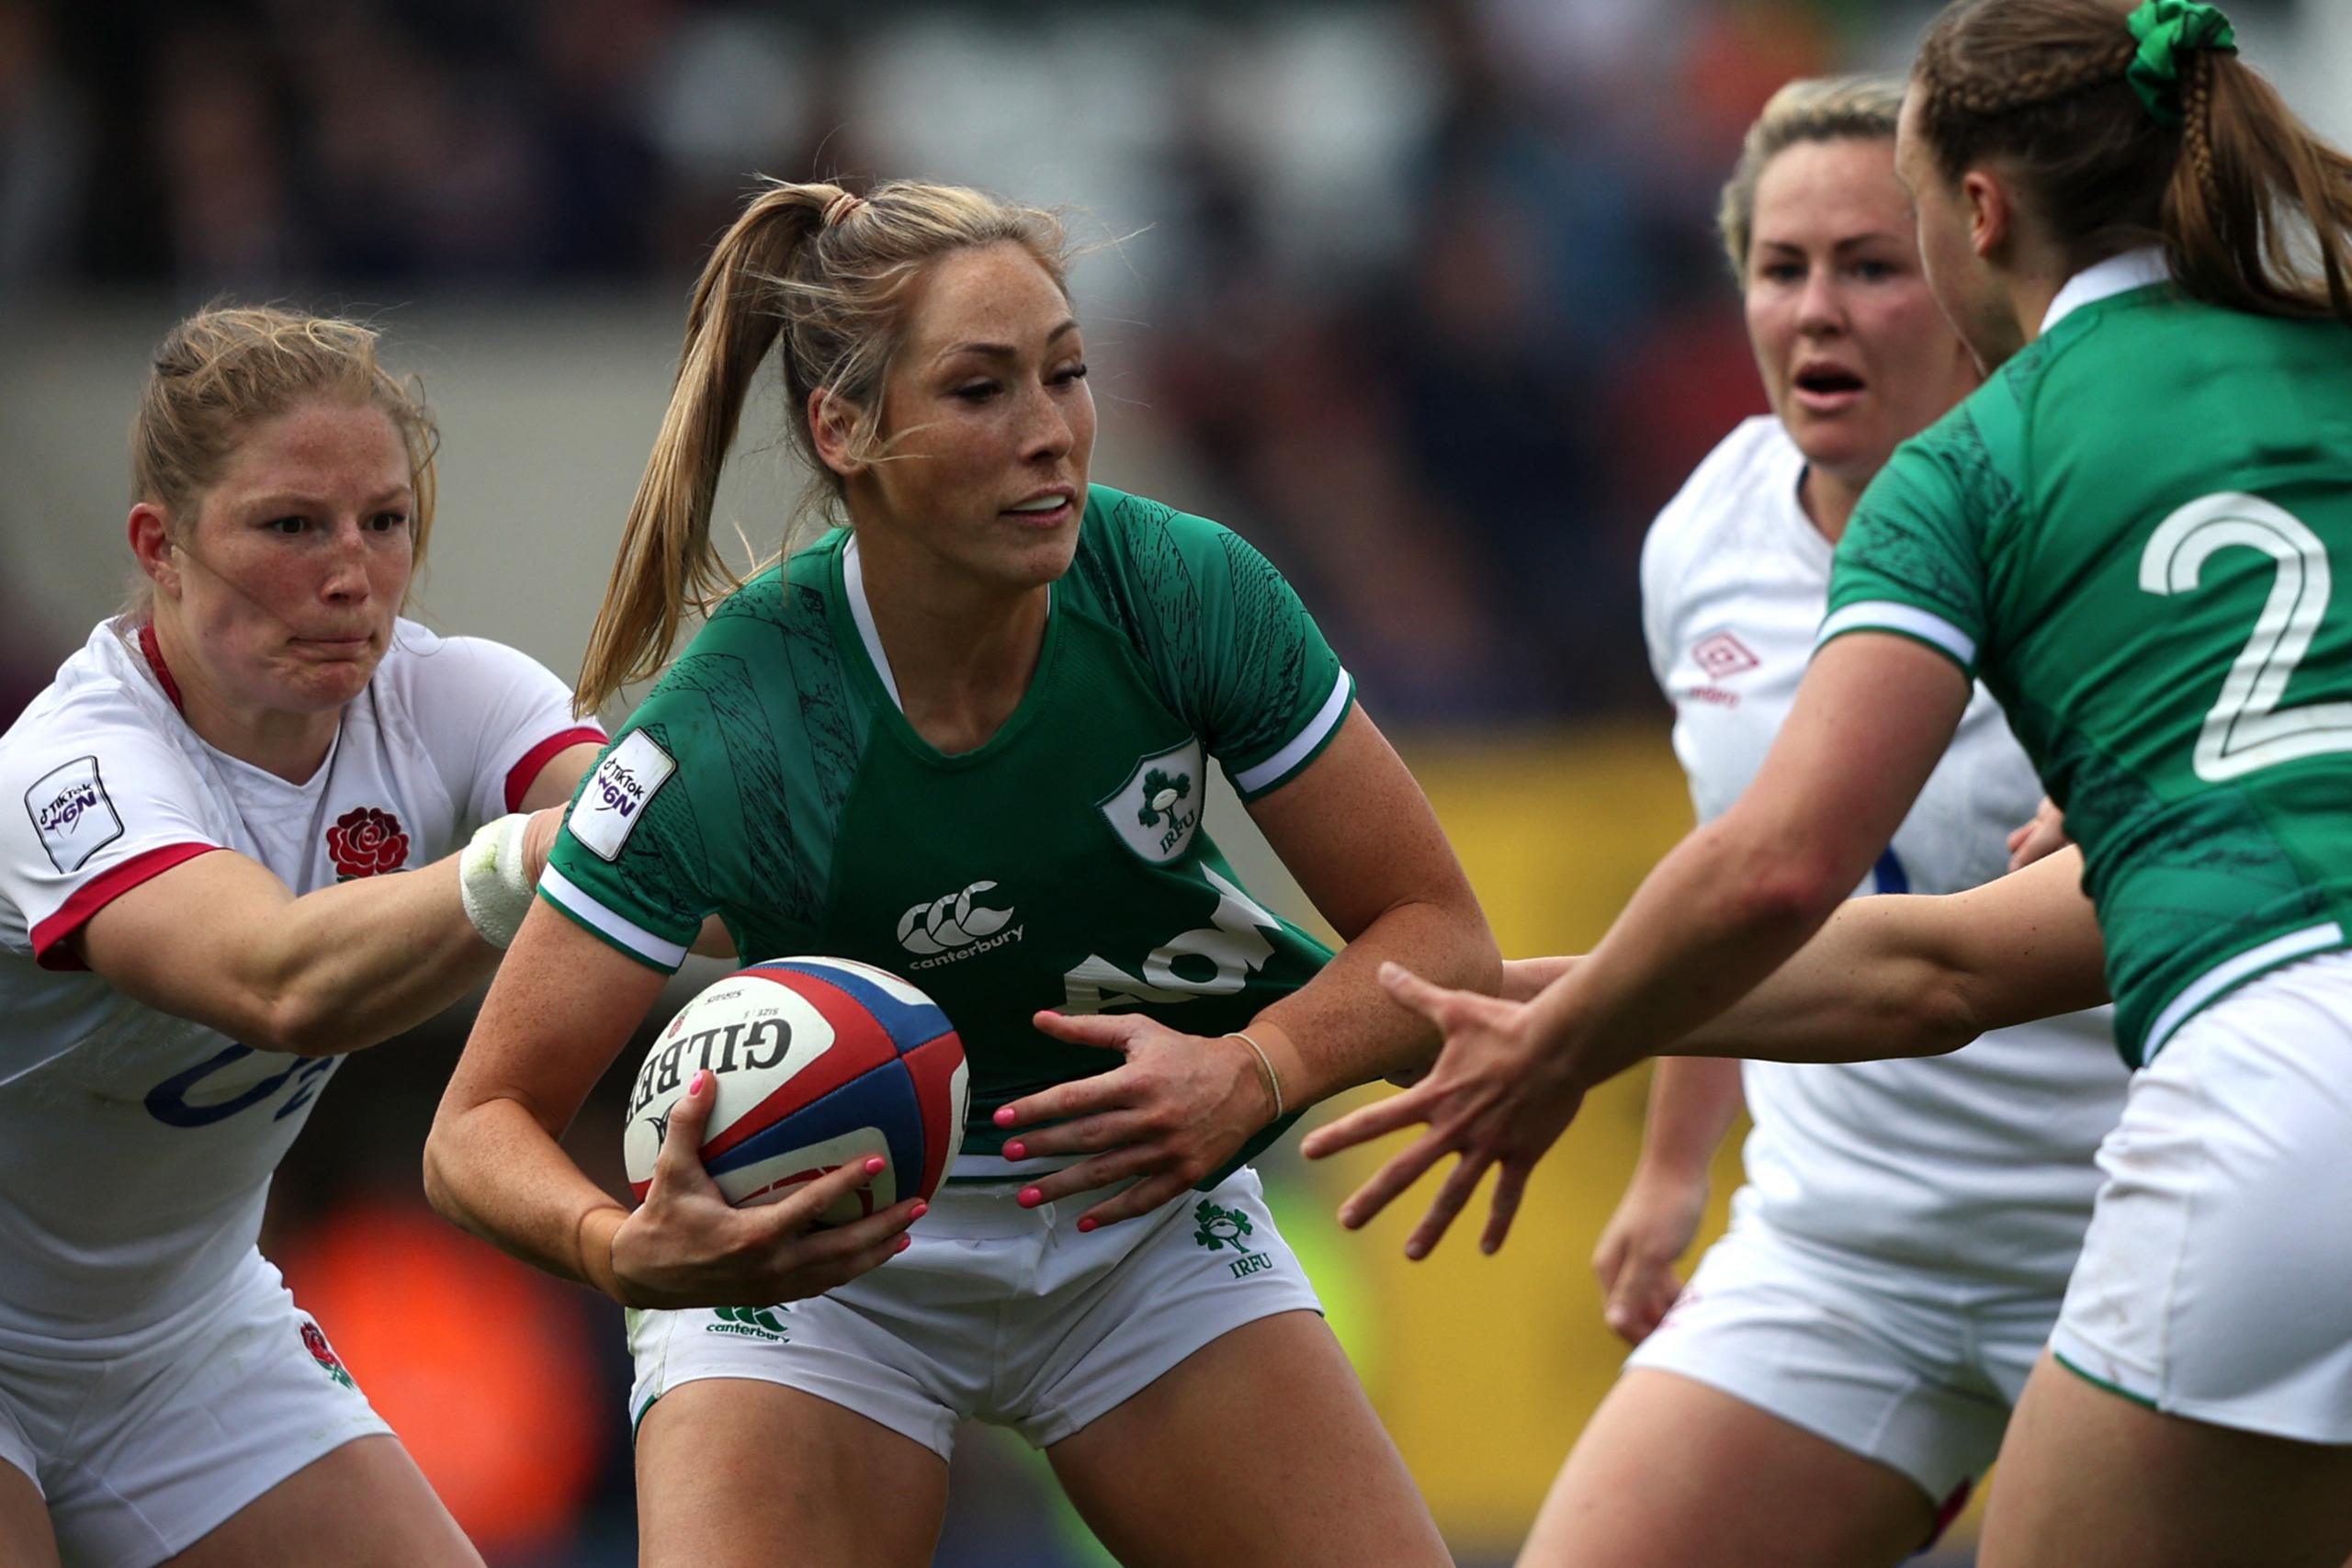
[{"x": 2130, "y": 532}]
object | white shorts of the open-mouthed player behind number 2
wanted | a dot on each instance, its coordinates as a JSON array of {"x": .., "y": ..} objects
[{"x": 1911, "y": 1369}]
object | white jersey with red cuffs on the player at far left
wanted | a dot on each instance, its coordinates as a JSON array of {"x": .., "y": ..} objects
[{"x": 135, "y": 1146}]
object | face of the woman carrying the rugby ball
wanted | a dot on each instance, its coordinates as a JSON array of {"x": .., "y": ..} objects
[{"x": 987, "y": 422}]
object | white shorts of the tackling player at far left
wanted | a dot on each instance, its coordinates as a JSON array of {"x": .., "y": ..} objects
[{"x": 147, "y": 1442}]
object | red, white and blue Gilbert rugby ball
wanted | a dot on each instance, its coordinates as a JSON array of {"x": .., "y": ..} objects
[{"x": 817, "y": 1064}]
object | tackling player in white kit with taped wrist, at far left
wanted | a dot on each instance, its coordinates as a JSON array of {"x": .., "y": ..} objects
[{"x": 199, "y": 918}]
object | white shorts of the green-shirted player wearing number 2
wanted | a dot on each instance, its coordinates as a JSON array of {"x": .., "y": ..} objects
[{"x": 2217, "y": 1280}]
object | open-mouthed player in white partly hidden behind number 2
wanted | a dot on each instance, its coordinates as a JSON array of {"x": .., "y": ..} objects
[{"x": 1843, "y": 1362}]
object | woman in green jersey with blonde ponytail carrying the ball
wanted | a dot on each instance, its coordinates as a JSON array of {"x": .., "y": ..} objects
[{"x": 965, "y": 739}]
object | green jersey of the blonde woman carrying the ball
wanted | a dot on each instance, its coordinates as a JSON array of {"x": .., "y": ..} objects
[{"x": 773, "y": 779}]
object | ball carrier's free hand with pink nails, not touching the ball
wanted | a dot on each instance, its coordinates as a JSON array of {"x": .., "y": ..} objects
[{"x": 1170, "y": 1115}]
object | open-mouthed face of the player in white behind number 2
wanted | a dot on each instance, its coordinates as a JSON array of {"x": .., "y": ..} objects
[{"x": 1845, "y": 328}]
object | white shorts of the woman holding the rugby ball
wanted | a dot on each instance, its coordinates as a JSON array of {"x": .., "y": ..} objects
[{"x": 1001, "y": 1313}]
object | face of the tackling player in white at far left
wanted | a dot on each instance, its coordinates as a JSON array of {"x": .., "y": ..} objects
[{"x": 288, "y": 584}]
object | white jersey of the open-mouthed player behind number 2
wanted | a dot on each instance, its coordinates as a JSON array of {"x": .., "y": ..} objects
[{"x": 1975, "y": 1162}]
